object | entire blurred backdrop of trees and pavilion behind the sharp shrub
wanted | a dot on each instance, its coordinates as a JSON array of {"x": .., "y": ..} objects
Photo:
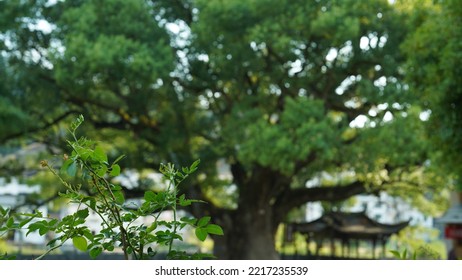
[{"x": 321, "y": 125}]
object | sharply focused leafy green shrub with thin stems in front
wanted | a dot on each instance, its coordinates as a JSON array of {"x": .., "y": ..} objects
[{"x": 120, "y": 221}]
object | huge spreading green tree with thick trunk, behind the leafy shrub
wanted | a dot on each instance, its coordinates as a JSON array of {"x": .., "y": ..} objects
[{"x": 270, "y": 93}]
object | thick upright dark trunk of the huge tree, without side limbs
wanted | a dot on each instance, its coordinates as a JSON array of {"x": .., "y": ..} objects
[{"x": 250, "y": 229}]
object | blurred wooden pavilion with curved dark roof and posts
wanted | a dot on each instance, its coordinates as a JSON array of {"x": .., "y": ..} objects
[{"x": 348, "y": 228}]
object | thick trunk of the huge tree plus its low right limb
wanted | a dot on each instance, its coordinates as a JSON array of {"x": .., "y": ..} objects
[{"x": 265, "y": 198}]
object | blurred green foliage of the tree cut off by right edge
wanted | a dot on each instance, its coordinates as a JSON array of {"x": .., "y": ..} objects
[{"x": 434, "y": 52}]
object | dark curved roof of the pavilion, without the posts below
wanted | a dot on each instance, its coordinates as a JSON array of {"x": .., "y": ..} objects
[{"x": 351, "y": 225}]
